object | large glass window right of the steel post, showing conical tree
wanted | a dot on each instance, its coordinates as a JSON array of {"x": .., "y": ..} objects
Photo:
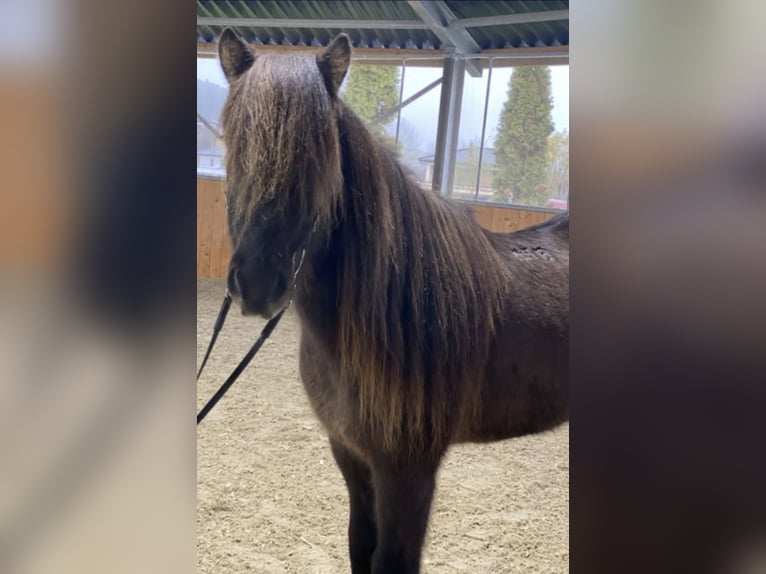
[{"x": 524, "y": 152}]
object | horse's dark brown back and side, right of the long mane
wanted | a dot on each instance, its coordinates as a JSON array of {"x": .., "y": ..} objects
[{"x": 528, "y": 368}]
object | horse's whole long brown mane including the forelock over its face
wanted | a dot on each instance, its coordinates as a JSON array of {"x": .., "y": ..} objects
[{"x": 420, "y": 287}]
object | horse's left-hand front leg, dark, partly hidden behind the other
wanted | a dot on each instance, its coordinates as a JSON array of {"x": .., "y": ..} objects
[{"x": 362, "y": 531}]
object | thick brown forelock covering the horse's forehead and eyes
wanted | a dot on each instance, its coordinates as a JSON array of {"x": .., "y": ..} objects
[{"x": 281, "y": 140}]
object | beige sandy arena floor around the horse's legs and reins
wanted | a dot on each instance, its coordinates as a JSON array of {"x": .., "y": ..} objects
[{"x": 270, "y": 499}]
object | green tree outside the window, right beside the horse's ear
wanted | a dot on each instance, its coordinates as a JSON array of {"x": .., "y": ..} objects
[{"x": 371, "y": 90}]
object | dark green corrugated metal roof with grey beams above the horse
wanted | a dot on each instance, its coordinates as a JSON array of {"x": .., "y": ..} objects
[{"x": 465, "y": 26}]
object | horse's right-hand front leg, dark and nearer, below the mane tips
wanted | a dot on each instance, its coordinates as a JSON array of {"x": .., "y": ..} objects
[{"x": 402, "y": 505}]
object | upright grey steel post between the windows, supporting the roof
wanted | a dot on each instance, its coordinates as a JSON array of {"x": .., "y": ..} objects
[{"x": 449, "y": 123}]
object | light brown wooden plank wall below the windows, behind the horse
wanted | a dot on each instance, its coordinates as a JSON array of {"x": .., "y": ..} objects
[{"x": 214, "y": 248}]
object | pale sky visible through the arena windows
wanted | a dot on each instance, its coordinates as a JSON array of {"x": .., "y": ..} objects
[{"x": 420, "y": 117}]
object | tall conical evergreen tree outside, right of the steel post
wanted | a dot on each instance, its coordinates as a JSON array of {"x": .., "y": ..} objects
[{"x": 521, "y": 144}]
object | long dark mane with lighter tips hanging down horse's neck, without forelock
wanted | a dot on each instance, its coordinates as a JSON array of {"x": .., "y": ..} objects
[{"x": 420, "y": 294}]
